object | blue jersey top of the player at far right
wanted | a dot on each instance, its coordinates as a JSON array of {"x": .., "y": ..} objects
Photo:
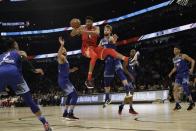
[{"x": 181, "y": 65}]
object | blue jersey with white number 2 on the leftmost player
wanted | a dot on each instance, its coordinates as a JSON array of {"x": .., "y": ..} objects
[{"x": 11, "y": 58}]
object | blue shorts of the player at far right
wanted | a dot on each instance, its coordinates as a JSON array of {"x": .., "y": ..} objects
[{"x": 182, "y": 79}]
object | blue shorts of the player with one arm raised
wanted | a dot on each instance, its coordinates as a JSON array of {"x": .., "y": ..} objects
[{"x": 66, "y": 85}]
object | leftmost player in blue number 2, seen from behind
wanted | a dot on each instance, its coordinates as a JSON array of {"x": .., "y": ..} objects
[{"x": 11, "y": 75}]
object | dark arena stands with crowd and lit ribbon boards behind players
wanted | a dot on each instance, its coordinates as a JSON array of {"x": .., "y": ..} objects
[{"x": 153, "y": 27}]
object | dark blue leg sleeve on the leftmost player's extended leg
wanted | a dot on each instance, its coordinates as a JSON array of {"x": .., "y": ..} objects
[{"x": 29, "y": 102}]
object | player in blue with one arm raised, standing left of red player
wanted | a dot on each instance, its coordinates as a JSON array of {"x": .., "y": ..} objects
[{"x": 64, "y": 82}]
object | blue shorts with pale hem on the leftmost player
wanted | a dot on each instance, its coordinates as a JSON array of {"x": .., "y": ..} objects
[{"x": 10, "y": 76}]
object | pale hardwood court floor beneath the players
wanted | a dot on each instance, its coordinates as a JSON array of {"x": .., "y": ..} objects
[{"x": 152, "y": 117}]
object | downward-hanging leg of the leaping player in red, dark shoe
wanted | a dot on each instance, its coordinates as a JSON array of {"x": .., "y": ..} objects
[{"x": 90, "y": 53}]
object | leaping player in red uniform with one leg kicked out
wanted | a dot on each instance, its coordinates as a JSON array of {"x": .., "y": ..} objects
[{"x": 90, "y": 48}]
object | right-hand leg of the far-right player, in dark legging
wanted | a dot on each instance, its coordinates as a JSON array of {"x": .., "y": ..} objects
[{"x": 185, "y": 85}]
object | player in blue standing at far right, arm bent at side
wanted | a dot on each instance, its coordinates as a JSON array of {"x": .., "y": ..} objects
[{"x": 182, "y": 76}]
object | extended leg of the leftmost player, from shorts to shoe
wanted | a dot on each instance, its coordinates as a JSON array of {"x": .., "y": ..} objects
[{"x": 21, "y": 88}]
